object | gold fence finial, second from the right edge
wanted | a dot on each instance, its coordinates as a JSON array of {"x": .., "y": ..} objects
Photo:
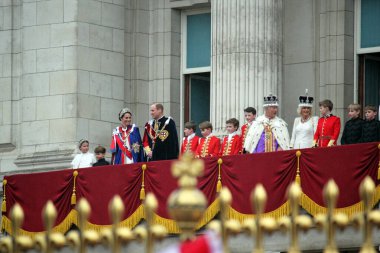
[{"x": 330, "y": 221}]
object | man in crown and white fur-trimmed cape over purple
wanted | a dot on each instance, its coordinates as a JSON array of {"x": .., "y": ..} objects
[{"x": 269, "y": 132}]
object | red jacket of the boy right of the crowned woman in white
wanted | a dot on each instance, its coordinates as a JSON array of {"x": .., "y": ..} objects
[{"x": 328, "y": 129}]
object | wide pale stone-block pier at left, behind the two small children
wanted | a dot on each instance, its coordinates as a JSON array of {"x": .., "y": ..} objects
[{"x": 71, "y": 78}]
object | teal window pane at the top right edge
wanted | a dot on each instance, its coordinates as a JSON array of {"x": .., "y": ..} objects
[{"x": 370, "y": 23}]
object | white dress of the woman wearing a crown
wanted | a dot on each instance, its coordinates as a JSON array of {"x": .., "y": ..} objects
[{"x": 303, "y": 133}]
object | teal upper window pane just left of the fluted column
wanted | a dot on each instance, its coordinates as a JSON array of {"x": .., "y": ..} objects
[{"x": 198, "y": 40}]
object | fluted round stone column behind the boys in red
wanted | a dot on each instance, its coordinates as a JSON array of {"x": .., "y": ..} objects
[{"x": 246, "y": 56}]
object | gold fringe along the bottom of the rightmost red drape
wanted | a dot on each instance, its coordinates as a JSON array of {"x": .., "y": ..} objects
[{"x": 313, "y": 208}]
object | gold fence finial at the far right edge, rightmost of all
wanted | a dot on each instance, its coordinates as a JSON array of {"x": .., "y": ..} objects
[{"x": 368, "y": 218}]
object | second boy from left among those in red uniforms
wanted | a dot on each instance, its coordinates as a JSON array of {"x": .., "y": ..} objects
[{"x": 209, "y": 145}]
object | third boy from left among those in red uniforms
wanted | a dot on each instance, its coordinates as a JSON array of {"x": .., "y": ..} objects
[{"x": 231, "y": 144}]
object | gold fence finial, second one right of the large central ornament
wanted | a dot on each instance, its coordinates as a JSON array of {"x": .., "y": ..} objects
[{"x": 256, "y": 227}]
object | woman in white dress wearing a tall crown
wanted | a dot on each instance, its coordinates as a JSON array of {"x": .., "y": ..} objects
[{"x": 304, "y": 126}]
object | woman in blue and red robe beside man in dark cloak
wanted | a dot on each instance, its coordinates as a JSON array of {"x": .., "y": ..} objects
[{"x": 126, "y": 145}]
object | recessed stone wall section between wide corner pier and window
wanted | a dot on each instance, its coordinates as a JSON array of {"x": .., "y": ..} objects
[{"x": 152, "y": 58}]
